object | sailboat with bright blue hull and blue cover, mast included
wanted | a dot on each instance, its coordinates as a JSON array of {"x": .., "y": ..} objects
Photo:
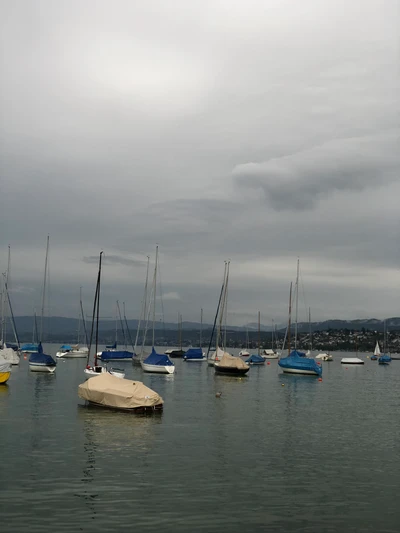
[{"x": 295, "y": 362}]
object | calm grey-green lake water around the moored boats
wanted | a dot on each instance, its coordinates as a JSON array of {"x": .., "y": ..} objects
[{"x": 273, "y": 453}]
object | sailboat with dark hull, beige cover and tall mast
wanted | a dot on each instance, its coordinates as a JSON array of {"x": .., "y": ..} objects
[{"x": 227, "y": 363}]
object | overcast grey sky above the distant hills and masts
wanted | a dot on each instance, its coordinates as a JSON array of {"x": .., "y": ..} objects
[{"x": 255, "y": 131}]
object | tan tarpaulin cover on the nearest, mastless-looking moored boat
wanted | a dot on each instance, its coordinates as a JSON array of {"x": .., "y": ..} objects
[{"x": 120, "y": 393}]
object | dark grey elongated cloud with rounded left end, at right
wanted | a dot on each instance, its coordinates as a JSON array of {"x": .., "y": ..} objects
[{"x": 299, "y": 180}]
